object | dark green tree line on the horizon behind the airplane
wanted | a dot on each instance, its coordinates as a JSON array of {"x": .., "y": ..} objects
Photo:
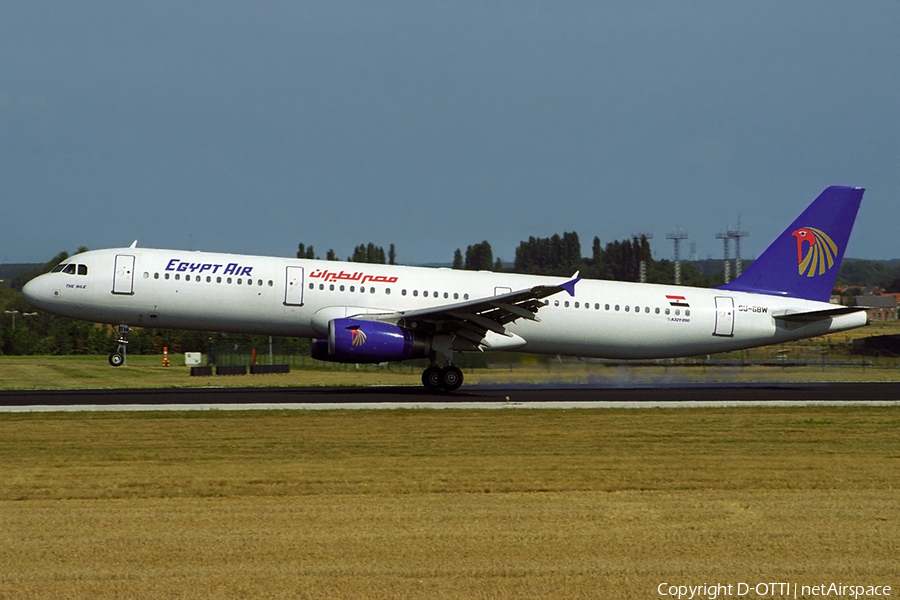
[{"x": 36, "y": 332}]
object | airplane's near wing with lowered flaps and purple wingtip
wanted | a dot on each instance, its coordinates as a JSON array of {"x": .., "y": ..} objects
[{"x": 471, "y": 320}]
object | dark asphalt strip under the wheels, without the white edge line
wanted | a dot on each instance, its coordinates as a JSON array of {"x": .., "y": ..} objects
[{"x": 569, "y": 394}]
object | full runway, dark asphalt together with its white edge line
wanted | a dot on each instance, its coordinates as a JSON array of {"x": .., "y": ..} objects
[{"x": 563, "y": 396}]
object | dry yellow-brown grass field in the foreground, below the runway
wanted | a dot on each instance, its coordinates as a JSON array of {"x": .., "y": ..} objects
[{"x": 445, "y": 504}]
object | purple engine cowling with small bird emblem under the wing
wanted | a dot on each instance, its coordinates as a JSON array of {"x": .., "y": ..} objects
[{"x": 357, "y": 341}]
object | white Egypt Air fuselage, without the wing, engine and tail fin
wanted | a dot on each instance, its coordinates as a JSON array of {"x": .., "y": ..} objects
[{"x": 294, "y": 297}]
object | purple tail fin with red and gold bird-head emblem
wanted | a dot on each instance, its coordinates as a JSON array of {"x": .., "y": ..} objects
[{"x": 803, "y": 262}]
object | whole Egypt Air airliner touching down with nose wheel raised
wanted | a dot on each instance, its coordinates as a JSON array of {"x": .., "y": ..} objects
[{"x": 372, "y": 313}]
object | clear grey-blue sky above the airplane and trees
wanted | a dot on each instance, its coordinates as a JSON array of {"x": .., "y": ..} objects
[{"x": 251, "y": 127}]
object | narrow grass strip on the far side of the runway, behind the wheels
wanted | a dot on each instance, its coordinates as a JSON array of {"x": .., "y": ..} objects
[{"x": 93, "y": 372}]
